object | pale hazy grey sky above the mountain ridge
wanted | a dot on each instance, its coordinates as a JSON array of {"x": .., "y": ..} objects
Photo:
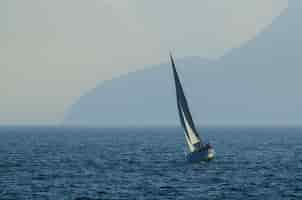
[{"x": 52, "y": 51}]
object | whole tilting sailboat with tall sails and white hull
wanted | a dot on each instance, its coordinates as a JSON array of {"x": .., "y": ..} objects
[{"x": 198, "y": 150}]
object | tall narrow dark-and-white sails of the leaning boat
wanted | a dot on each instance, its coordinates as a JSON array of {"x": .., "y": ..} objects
[{"x": 192, "y": 137}]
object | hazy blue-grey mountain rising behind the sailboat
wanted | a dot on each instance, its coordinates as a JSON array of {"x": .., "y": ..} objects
[{"x": 258, "y": 83}]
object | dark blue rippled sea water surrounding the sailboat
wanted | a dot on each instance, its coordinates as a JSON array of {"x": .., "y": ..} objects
[{"x": 70, "y": 163}]
